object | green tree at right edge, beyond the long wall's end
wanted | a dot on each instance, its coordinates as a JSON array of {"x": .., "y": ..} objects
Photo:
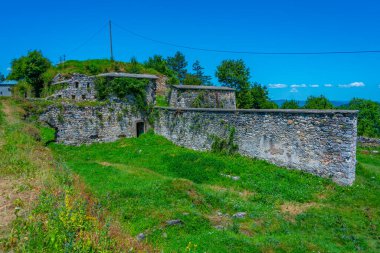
[{"x": 368, "y": 116}]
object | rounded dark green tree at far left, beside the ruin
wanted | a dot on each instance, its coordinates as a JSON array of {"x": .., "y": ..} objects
[{"x": 30, "y": 68}]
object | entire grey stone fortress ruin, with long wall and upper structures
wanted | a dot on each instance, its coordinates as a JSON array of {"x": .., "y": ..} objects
[{"x": 320, "y": 142}]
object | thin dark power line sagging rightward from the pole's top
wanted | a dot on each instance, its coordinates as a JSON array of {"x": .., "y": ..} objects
[{"x": 244, "y": 52}]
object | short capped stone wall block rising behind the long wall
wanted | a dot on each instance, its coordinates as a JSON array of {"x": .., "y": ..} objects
[{"x": 188, "y": 96}]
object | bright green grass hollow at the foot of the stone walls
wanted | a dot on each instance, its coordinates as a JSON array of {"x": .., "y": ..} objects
[{"x": 147, "y": 181}]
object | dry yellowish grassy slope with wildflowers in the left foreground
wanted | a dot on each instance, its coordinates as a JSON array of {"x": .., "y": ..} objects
[{"x": 44, "y": 208}]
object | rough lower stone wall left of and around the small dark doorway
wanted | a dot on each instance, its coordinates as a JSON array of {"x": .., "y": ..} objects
[{"x": 76, "y": 125}]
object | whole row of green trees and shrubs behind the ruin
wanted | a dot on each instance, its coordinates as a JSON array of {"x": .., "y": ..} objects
[{"x": 35, "y": 73}]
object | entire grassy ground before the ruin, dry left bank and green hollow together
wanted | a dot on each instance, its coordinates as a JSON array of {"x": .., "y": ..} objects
[{"x": 99, "y": 198}]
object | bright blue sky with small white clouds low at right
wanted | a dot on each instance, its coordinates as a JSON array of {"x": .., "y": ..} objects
[{"x": 64, "y": 27}]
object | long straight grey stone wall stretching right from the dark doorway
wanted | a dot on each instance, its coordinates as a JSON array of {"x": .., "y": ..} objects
[{"x": 319, "y": 142}]
